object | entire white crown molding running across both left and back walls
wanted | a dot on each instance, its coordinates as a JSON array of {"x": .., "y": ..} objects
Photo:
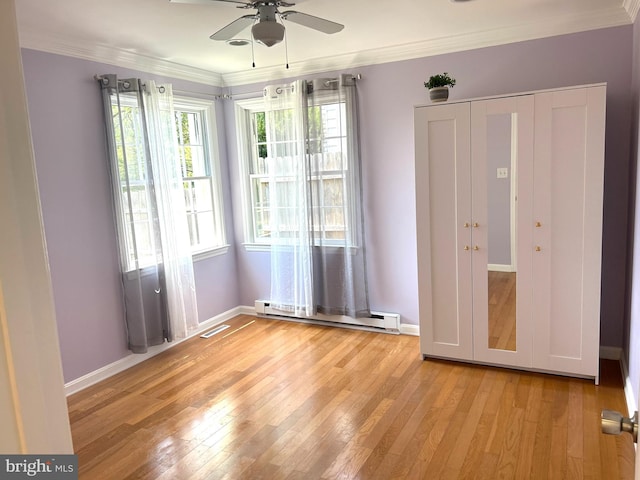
[{"x": 528, "y": 31}]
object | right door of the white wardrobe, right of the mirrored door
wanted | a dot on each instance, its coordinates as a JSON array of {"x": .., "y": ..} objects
[{"x": 568, "y": 185}]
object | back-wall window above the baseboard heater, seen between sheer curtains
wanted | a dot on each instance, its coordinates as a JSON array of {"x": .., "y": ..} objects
[{"x": 326, "y": 146}]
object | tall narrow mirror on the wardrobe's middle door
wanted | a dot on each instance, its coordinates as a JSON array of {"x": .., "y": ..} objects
[{"x": 501, "y": 174}]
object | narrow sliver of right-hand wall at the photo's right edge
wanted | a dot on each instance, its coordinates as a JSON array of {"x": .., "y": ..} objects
[{"x": 632, "y": 330}]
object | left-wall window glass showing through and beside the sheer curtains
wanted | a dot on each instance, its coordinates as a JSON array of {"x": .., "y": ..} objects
[{"x": 195, "y": 133}]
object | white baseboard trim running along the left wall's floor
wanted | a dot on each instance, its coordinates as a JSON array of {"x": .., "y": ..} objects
[{"x": 132, "y": 359}]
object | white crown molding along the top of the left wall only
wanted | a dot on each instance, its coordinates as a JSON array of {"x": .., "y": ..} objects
[{"x": 119, "y": 58}]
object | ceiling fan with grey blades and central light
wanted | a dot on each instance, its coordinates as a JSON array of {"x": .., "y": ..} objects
[{"x": 266, "y": 29}]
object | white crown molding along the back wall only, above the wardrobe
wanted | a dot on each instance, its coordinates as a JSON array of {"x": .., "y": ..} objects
[{"x": 488, "y": 38}]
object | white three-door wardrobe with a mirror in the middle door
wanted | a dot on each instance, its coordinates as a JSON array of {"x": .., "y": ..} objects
[{"x": 509, "y": 229}]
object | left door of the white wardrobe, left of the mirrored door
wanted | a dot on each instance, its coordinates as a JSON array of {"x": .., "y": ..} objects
[{"x": 443, "y": 204}]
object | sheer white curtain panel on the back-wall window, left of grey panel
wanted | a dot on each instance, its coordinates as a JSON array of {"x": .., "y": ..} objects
[{"x": 291, "y": 250}]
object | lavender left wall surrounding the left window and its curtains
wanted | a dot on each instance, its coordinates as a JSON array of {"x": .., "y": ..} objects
[{"x": 68, "y": 136}]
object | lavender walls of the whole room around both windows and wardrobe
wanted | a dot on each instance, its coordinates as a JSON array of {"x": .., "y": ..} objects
[{"x": 67, "y": 126}]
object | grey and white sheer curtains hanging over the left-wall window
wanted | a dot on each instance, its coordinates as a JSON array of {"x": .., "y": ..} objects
[{"x": 149, "y": 204}]
